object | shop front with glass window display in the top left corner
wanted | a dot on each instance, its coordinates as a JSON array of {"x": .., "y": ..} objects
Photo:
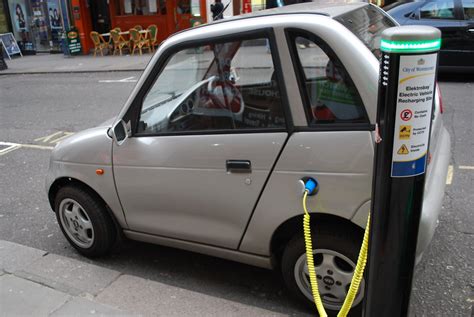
[{"x": 37, "y": 25}]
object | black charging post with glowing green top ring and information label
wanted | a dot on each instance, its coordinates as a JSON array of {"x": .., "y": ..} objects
[{"x": 408, "y": 70}]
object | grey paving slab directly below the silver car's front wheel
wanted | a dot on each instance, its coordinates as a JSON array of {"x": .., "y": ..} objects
[{"x": 69, "y": 275}]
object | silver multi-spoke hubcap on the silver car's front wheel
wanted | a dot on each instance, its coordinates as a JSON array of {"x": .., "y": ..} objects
[{"x": 76, "y": 223}]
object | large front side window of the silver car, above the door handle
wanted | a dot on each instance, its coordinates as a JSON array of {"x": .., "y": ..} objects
[{"x": 225, "y": 86}]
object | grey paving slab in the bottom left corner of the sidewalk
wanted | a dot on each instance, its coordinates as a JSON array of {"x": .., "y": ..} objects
[{"x": 19, "y": 297}]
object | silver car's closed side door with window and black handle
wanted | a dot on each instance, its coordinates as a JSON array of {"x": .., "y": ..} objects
[{"x": 206, "y": 135}]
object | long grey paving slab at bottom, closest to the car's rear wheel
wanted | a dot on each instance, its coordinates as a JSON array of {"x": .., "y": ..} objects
[{"x": 151, "y": 298}]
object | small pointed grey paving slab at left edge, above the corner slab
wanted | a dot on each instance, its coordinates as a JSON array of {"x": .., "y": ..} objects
[{"x": 14, "y": 256}]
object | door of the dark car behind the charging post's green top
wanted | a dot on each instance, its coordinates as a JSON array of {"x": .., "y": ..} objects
[{"x": 446, "y": 16}]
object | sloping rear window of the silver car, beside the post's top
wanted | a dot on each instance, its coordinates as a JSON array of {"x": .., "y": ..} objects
[{"x": 367, "y": 24}]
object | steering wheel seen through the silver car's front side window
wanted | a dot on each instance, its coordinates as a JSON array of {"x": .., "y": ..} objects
[{"x": 230, "y": 97}]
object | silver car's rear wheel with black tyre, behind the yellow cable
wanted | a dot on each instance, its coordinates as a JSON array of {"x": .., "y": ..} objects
[{"x": 336, "y": 249}]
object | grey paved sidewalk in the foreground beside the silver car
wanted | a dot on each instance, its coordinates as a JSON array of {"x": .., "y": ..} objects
[{"x": 36, "y": 283}]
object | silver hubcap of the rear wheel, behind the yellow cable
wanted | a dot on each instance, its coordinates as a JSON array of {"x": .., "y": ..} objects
[{"x": 334, "y": 273}]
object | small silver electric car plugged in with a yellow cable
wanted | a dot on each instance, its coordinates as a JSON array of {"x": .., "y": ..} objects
[{"x": 208, "y": 151}]
